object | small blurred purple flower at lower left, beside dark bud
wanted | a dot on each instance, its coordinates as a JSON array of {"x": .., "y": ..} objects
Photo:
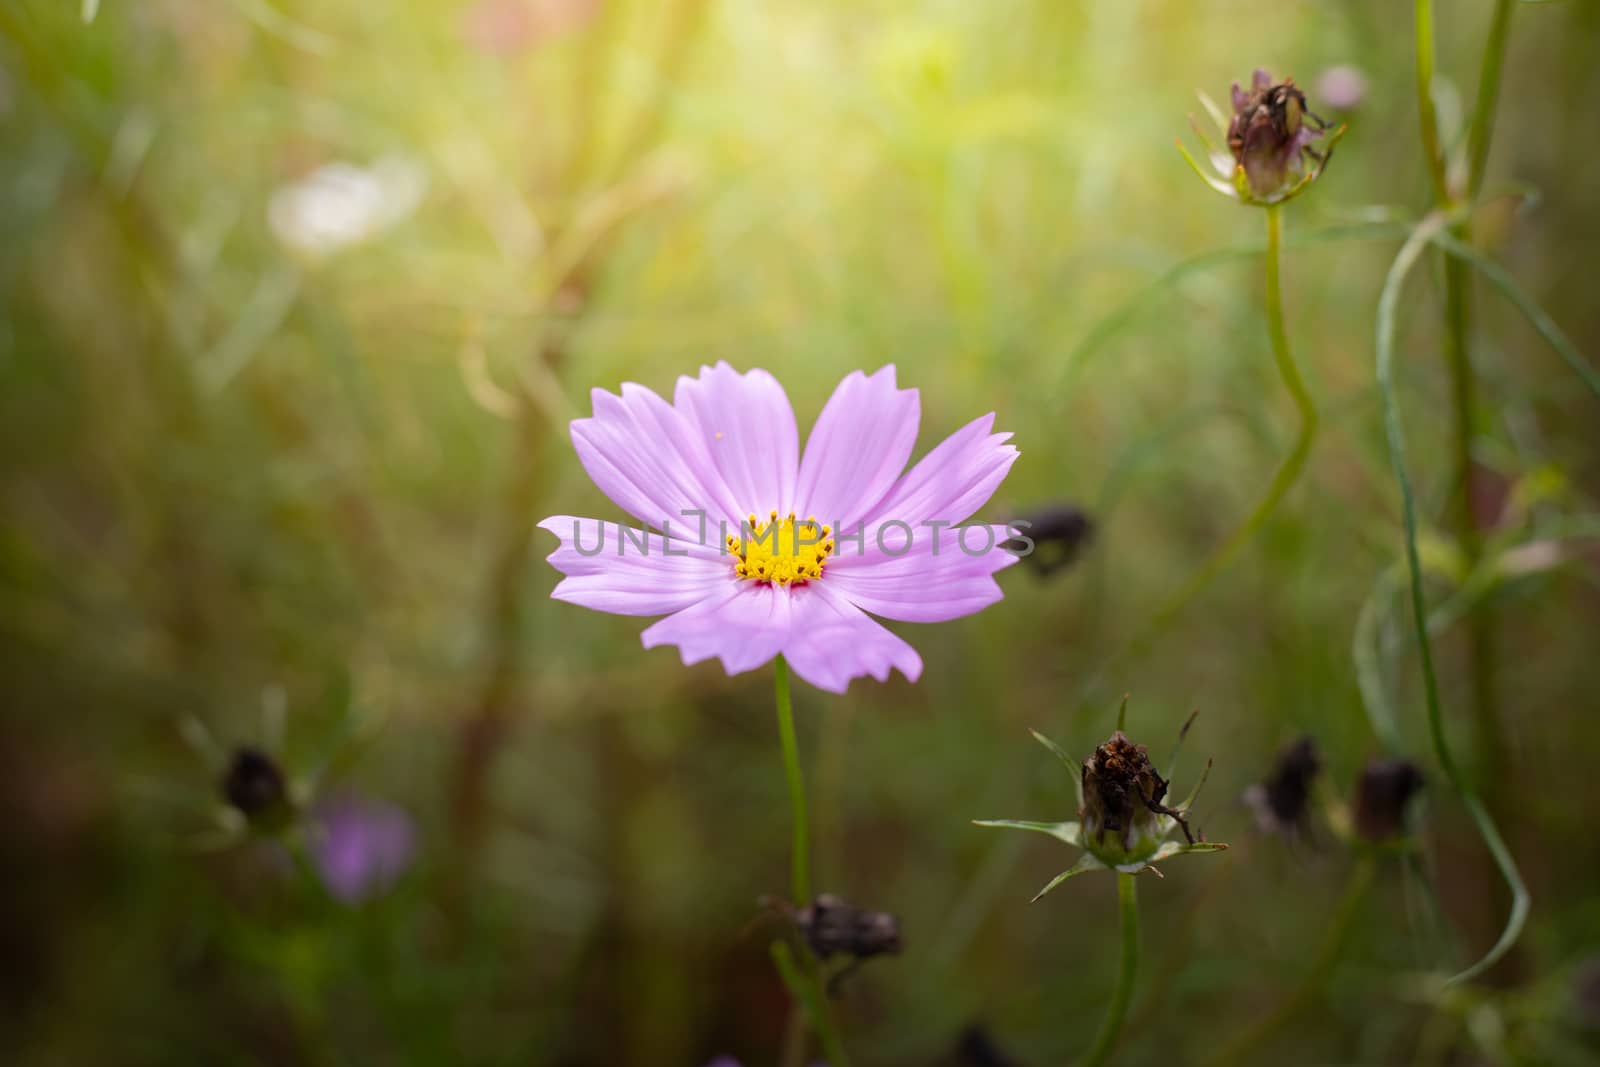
[{"x": 361, "y": 845}]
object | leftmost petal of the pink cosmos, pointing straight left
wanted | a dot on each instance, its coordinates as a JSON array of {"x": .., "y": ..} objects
[{"x": 630, "y": 572}]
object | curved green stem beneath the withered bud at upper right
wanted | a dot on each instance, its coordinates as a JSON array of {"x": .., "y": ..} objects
[{"x": 1289, "y": 474}]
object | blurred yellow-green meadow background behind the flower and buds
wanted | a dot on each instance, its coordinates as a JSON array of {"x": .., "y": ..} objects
[{"x": 297, "y": 302}]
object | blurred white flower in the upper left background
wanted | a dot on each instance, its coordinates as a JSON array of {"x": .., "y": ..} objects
[{"x": 342, "y": 204}]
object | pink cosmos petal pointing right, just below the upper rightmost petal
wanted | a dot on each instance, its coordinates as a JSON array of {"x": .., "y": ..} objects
[{"x": 937, "y": 580}]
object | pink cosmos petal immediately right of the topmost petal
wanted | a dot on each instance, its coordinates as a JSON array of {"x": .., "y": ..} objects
[{"x": 858, "y": 447}]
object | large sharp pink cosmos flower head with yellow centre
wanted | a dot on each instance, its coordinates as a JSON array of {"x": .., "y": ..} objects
[{"x": 751, "y": 549}]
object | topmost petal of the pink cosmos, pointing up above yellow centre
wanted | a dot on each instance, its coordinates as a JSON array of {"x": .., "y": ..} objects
[{"x": 748, "y": 430}]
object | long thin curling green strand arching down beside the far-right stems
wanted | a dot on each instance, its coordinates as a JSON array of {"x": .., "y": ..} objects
[{"x": 1436, "y": 717}]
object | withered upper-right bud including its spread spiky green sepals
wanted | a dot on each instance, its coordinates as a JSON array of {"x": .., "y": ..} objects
[{"x": 1270, "y": 140}]
